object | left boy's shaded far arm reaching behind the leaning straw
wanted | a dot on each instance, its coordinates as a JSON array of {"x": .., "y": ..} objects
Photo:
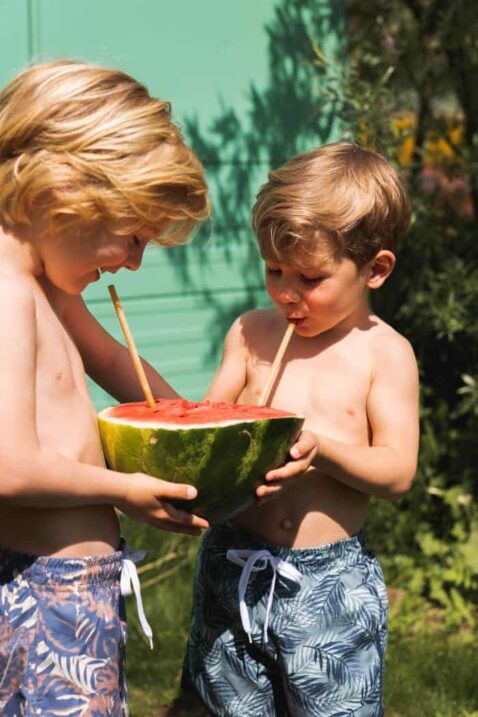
[{"x": 106, "y": 360}]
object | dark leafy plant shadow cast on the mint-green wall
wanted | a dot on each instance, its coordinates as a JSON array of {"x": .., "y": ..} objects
[{"x": 286, "y": 117}]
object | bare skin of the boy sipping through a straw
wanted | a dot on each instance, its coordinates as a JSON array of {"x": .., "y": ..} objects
[{"x": 352, "y": 377}]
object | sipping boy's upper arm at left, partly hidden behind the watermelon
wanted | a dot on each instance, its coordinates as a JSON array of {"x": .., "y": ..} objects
[{"x": 230, "y": 377}]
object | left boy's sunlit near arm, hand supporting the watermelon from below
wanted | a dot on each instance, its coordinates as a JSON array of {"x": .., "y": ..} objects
[{"x": 33, "y": 473}]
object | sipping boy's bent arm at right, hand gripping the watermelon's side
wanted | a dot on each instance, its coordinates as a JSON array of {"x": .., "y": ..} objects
[{"x": 387, "y": 467}]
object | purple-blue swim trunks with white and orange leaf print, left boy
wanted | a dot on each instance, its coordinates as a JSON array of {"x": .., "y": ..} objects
[{"x": 62, "y": 636}]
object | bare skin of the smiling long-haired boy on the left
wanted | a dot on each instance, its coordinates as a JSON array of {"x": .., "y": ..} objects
[{"x": 56, "y": 496}]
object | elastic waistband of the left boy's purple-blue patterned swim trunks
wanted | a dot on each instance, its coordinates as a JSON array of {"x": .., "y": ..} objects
[{"x": 58, "y": 572}]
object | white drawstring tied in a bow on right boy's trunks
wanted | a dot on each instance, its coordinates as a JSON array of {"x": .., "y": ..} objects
[{"x": 254, "y": 561}]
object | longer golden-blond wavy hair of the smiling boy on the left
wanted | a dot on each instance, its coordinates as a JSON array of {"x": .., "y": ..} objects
[{"x": 88, "y": 145}]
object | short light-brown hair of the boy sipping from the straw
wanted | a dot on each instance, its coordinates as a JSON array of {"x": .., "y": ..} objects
[{"x": 347, "y": 196}]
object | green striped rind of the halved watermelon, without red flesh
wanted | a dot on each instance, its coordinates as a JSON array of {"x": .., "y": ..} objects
[{"x": 224, "y": 462}]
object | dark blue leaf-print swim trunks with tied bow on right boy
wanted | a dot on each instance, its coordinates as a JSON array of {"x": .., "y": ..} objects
[{"x": 317, "y": 624}]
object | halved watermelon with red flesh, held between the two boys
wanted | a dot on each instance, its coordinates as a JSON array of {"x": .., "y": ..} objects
[{"x": 222, "y": 449}]
